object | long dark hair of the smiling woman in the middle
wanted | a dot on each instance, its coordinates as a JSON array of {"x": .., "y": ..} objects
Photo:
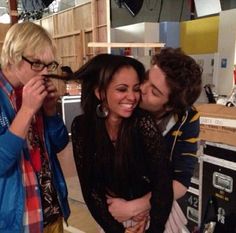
[{"x": 112, "y": 165}]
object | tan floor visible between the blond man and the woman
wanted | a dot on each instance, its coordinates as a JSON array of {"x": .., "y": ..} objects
[{"x": 80, "y": 220}]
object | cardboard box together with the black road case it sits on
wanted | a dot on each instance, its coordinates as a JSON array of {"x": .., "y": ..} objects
[{"x": 218, "y": 167}]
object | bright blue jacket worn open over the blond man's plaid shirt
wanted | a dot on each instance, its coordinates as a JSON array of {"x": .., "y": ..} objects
[{"x": 12, "y": 194}]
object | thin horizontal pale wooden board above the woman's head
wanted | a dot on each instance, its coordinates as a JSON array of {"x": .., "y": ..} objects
[{"x": 125, "y": 45}]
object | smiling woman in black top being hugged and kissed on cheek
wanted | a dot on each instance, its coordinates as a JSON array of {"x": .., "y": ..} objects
[{"x": 117, "y": 148}]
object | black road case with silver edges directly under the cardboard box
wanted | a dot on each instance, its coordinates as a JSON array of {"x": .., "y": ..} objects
[{"x": 218, "y": 187}]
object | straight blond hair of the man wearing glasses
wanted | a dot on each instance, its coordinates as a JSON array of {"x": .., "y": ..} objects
[{"x": 25, "y": 38}]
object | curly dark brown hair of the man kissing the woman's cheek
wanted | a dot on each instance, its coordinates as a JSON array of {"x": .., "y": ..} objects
[{"x": 183, "y": 76}]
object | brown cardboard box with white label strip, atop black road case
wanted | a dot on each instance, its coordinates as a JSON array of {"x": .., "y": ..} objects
[{"x": 217, "y": 123}]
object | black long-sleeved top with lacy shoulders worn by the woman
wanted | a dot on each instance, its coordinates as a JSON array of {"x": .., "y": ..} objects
[{"x": 148, "y": 170}]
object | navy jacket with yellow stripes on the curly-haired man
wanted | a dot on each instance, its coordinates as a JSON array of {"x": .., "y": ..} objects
[{"x": 182, "y": 142}]
